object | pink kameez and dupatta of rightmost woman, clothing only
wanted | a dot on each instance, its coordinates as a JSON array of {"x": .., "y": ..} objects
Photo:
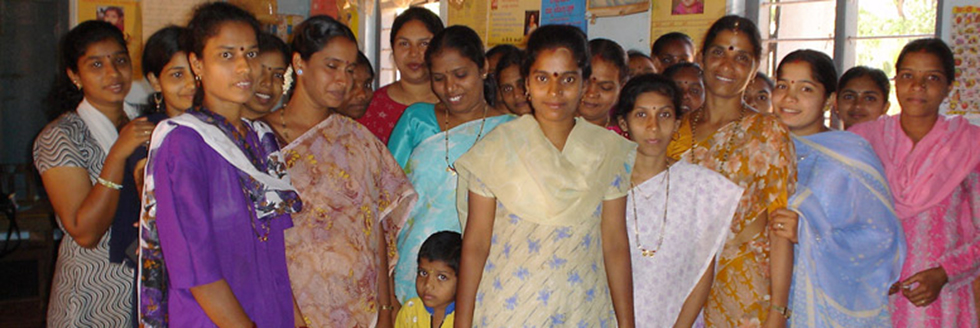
[{"x": 936, "y": 184}]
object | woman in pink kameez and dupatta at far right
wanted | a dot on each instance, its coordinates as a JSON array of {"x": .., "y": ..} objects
[{"x": 933, "y": 167}]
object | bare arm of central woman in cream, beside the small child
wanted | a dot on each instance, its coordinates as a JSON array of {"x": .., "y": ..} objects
[{"x": 476, "y": 248}]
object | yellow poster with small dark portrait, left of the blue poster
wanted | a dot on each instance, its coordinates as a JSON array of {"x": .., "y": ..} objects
[{"x": 512, "y": 20}]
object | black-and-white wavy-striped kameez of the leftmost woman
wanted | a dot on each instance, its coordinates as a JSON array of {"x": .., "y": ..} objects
[{"x": 87, "y": 290}]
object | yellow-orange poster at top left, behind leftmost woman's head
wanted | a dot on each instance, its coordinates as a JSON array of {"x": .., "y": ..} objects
[{"x": 124, "y": 14}]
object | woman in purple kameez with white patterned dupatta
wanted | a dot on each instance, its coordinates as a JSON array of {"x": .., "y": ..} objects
[{"x": 217, "y": 196}]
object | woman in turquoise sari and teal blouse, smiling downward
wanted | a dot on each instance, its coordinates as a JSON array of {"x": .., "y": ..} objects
[{"x": 429, "y": 138}]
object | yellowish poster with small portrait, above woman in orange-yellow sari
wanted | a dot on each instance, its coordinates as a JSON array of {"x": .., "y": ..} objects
[{"x": 691, "y": 17}]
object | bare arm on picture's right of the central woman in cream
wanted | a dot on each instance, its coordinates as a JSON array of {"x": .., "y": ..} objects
[{"x": 616, "y": 255}]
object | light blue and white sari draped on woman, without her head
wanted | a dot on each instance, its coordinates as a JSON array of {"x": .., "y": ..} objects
[{"x": 851, "y": 246}]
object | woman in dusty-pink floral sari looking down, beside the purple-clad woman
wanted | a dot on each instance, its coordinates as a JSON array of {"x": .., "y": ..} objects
[{"x": 356, "y": 197}]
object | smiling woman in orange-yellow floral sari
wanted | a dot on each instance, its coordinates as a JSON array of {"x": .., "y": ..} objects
[{"x": 755, "y": 151}]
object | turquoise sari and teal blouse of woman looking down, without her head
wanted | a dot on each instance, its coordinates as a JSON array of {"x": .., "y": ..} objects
[{"x": 420, "y": 148}]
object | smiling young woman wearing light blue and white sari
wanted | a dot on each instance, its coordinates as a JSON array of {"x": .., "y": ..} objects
[{"x": 849, "y": 244}]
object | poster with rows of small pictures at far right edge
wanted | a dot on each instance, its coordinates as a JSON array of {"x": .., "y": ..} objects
[{"x": 964, "y": 40}]
